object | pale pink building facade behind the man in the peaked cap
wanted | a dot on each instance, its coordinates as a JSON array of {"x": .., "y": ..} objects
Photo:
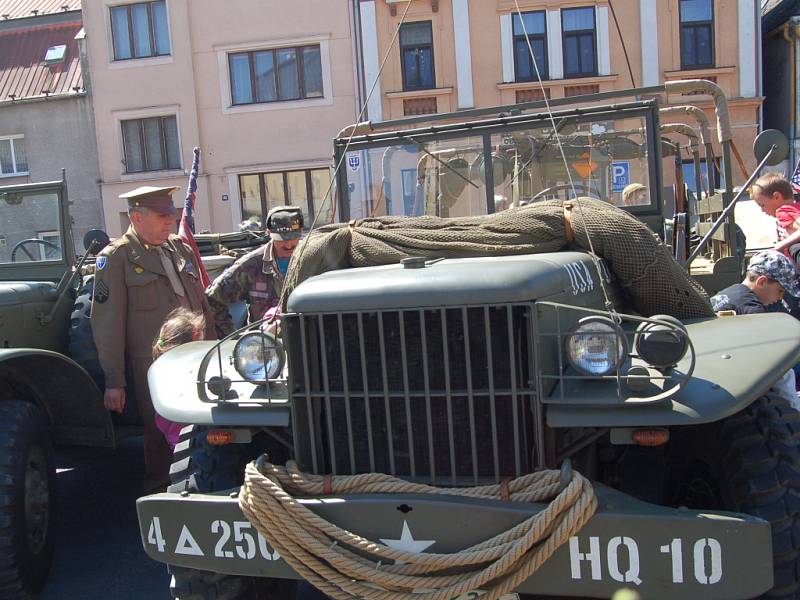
[{"x": 261, "y": 87}]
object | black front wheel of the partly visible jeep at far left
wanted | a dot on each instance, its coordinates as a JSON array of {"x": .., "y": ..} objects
[{"x": 27, "y": 484}]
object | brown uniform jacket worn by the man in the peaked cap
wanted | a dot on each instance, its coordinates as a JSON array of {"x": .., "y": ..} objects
[{"x": 133, "y": 295}]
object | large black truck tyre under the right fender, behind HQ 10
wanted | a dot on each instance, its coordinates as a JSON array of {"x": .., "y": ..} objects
[{"x": 753, "y": 467}]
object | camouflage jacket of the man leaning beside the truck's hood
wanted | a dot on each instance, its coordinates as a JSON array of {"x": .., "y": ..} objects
[{"x": 254, "y": 278}]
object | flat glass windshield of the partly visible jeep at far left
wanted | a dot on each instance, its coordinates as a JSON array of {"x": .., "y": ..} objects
[{"x": 31, "y": 229}]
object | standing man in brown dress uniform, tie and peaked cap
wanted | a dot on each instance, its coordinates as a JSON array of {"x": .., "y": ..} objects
[{"x": 139, "y": 278}]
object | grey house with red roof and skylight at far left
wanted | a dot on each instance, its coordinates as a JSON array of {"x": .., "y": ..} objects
[{"x": 46, "y": 121}]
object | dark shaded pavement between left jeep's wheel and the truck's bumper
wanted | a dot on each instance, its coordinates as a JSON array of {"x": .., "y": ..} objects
[{"x": 98, "y": 550}]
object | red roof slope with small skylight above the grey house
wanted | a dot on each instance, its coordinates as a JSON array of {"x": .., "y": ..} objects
[{"x": 23, "y": 73}]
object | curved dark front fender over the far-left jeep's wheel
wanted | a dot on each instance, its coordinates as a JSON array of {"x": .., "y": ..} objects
[{"x": 70, "y": 397}]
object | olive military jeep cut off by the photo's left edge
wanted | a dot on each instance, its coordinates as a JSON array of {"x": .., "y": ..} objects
[{"x": 46, "y": 398}]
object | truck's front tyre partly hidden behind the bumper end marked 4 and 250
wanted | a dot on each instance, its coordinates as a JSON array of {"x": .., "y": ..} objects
[{"x": 201, "y": 467}]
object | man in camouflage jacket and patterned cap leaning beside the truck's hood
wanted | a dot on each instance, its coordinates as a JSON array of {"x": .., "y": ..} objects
[{"x": 257, "y": 277}]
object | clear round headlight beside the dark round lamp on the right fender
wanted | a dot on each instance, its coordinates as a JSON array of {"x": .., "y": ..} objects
[{"x": 597, "y": 347}]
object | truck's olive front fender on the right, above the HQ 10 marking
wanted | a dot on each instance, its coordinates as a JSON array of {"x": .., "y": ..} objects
[{"x": 738, "y": 359}]
